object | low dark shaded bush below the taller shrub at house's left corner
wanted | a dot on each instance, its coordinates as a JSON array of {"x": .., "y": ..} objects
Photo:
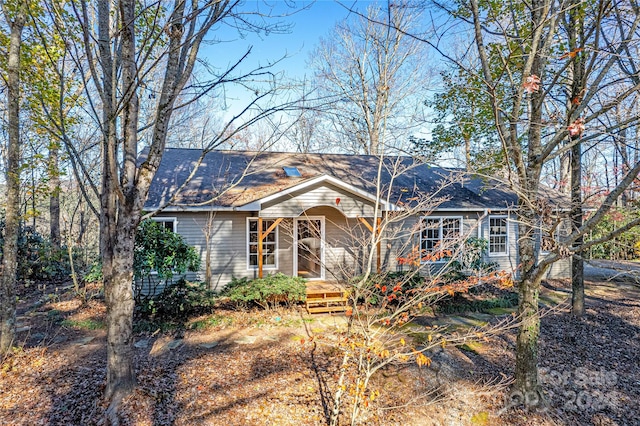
[{"x": 178, "y": 301}]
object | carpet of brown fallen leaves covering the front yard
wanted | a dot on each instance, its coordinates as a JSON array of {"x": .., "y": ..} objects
[{"x": 277, "y": 381}]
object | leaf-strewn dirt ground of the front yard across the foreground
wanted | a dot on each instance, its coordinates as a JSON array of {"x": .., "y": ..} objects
[{"x": 259, "y": 368}]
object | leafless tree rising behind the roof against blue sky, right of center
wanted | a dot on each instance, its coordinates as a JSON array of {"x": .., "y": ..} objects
[{"x": 372, "y": 71}]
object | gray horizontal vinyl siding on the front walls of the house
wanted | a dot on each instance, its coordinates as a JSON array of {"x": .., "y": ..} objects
[{"x": 346, "y": 241}]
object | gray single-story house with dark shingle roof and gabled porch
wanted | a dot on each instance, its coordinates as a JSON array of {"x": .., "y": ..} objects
[{"x": 312, "y": 215}]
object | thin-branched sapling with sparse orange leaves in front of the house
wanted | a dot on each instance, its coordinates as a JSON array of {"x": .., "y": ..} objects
[{"x": 381, "y": 304}]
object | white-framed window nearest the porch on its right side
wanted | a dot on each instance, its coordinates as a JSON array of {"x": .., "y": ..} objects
[{"x": 437, "y": 235}]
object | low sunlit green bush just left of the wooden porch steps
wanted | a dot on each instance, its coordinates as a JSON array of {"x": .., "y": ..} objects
[{"x": 266, "y": 292}]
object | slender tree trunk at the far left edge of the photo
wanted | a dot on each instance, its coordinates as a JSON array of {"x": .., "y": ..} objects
[{"x": 10, "y": 249}]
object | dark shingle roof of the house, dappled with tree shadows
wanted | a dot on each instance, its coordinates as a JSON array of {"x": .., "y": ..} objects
[{"x": 265, "y": 176}]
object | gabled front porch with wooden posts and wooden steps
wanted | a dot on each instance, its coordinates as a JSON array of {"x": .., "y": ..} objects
[{"x": 323, "y": 225}]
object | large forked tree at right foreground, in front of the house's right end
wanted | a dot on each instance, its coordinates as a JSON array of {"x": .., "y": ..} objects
[{"x": 524, "y": 75}]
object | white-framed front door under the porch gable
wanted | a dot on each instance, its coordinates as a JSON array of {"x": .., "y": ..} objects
[{"x": 309, "y": 248}]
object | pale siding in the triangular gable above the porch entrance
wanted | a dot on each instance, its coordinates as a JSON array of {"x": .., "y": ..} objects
[{"x": 319, "y": 195}]
